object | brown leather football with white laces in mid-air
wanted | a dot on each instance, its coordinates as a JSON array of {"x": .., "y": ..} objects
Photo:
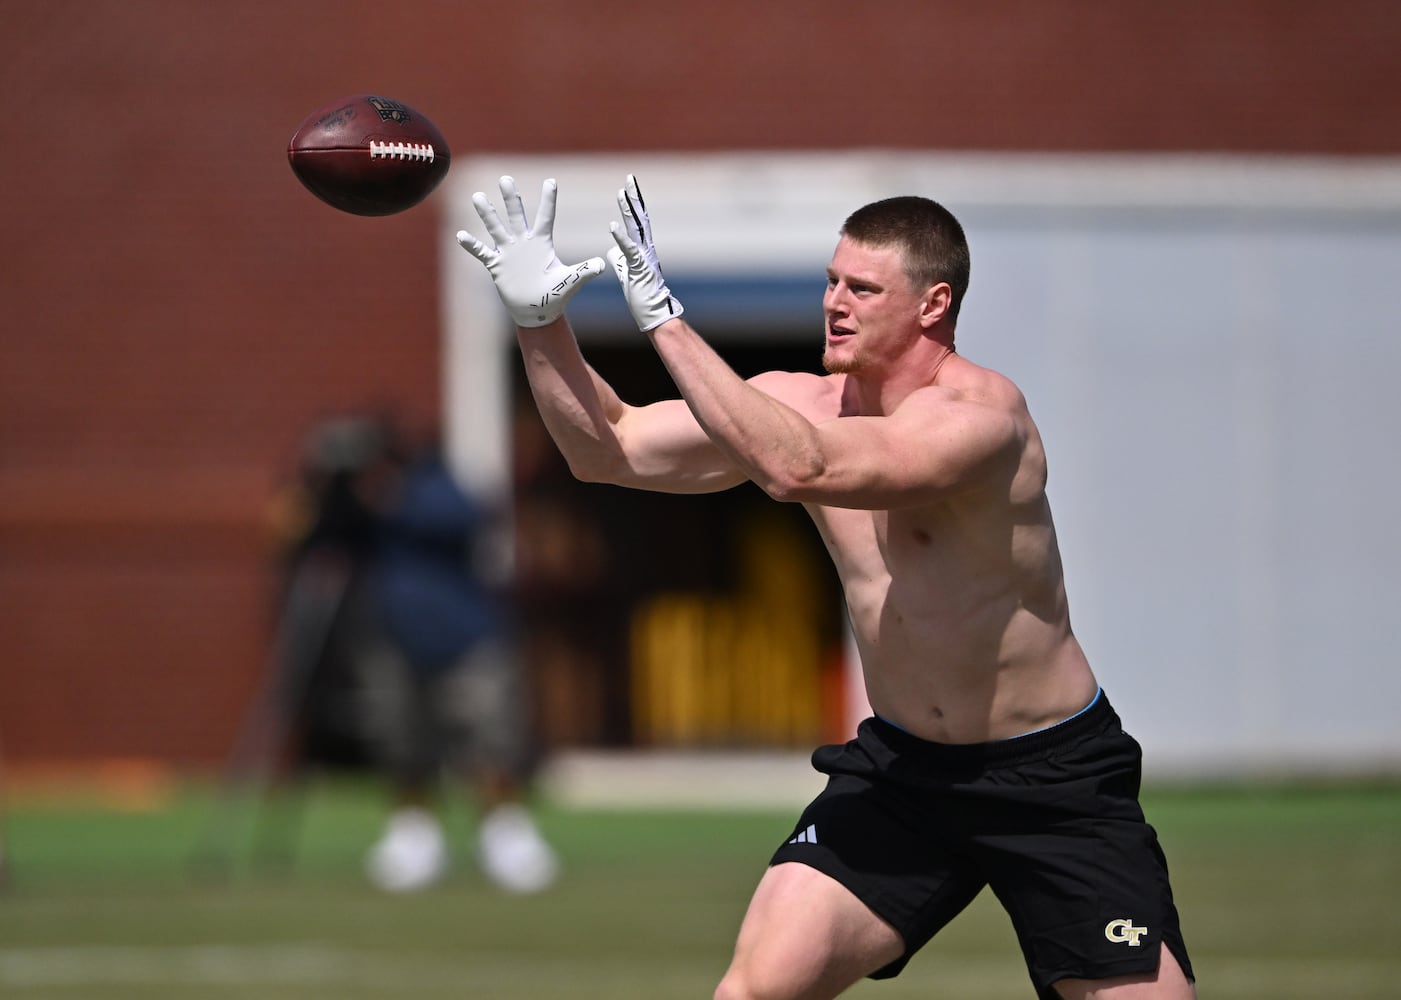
[{"x": 369, "y": 156}]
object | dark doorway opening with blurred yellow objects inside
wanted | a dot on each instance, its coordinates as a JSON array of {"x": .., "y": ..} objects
[{"x": 658, "y": 620}]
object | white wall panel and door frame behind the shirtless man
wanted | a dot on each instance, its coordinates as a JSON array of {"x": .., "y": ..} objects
[{"x": 1211, "y": 348}]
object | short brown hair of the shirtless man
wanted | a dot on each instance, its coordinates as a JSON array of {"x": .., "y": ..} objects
[{"x": 928, "y": 236}]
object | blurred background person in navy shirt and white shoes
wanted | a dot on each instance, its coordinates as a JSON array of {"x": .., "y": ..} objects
[{"x": 445, "y": 687}]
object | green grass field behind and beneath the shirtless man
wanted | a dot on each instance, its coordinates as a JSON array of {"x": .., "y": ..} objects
[{"x": 1285, "y": 893}]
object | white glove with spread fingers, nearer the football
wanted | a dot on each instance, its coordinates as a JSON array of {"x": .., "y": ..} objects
[{"x": 533, "y": 284}]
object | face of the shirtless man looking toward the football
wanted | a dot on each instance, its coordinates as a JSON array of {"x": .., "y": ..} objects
[{"x": 872, "y": 312}]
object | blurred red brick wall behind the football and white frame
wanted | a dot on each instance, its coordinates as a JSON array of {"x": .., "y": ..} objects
[{"x": 177, "y": 309}]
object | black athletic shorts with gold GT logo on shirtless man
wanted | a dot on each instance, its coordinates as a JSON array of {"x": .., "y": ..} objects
[{"x": 1050, "y": 820}]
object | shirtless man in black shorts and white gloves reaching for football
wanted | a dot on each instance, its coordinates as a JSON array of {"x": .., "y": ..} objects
[{"x": 994, "y": 758}]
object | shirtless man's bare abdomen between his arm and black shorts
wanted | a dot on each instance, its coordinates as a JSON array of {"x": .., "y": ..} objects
[{"x": 965, "y": 634}]
